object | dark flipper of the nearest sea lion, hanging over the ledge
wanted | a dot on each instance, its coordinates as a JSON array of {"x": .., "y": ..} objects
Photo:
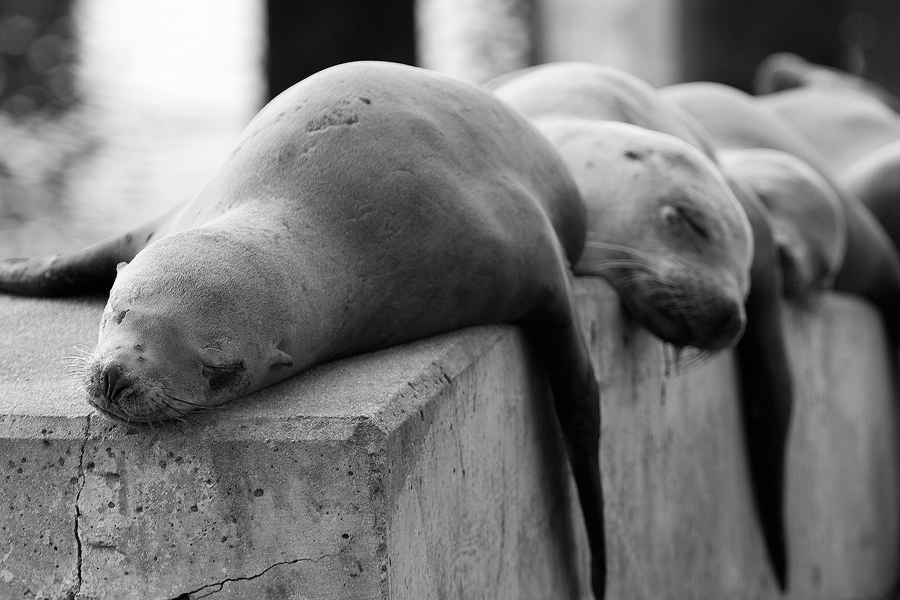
[{"x": 554, "y": 333}]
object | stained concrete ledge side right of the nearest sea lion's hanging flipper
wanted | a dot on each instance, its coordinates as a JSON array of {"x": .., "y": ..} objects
[{"x": 679, "y": 516}]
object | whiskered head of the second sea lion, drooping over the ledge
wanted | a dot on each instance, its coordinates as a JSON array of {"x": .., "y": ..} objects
[{"x": 663, "y": 228}]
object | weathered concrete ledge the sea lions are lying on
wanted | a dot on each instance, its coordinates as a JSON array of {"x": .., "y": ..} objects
[{"x": 434, "y": 470}]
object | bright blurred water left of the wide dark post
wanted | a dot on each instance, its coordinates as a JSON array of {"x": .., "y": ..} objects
[{"x": 167, "y": 86}]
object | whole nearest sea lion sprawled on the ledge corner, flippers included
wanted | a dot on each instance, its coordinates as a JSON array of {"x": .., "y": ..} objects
[{"x": 368, "y": 205}]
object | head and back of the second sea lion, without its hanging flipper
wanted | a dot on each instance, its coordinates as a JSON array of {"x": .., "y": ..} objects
[{"x": 662, "y": 225}]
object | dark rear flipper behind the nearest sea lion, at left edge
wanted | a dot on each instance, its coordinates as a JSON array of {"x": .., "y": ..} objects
[{"x": 86, "y": 271}]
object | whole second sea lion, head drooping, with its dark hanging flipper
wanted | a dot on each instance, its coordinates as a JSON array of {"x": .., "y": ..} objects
[{"x": 650, "y": 200}]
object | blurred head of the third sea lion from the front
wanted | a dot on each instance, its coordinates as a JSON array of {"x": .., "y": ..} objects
[{"x": 807, "y": 216}]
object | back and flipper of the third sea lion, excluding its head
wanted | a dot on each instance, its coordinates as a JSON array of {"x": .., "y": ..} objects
[{"x": 736, "y": 120}]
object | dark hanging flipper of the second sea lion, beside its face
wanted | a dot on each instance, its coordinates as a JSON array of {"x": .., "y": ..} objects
[{"x": 766, "y": 385}]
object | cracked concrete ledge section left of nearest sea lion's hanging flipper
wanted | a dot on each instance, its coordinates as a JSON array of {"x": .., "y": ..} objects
[{"x": 427, "y": 470}]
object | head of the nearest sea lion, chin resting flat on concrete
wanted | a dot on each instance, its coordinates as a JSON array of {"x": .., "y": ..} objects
[{"x": 188, "y": 326}]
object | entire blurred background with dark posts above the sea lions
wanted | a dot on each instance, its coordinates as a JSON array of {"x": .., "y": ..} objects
[{"x": 111, "y": 110}]
